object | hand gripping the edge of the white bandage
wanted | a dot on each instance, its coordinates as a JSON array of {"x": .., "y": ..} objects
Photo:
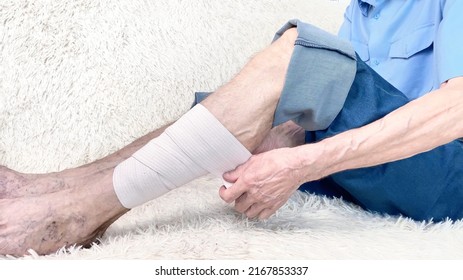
[{"x": 264, "y": 183}]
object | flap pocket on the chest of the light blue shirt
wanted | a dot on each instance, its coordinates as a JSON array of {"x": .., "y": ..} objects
[{"x": 414, "y": 42}]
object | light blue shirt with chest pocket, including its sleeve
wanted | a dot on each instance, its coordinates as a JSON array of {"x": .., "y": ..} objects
[{"x": 414, "y": 44}]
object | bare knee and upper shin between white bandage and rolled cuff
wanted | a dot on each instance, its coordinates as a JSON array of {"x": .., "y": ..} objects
[{"x": 259, "y": 84}]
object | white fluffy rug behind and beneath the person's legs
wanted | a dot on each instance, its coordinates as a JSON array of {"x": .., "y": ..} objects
[{"x": 81, "y": 78}]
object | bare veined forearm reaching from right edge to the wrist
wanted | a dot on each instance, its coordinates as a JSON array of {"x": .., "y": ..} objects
[{"x": 419, "y": 126}]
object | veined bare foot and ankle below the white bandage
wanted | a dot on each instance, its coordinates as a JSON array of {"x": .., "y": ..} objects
[{"x": 78, "y": 213}]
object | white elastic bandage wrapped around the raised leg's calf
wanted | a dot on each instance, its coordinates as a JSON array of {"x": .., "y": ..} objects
[{"x": 193, "y": 146}]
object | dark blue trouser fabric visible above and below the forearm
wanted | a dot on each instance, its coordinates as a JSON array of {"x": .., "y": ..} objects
[{"x": 425, "y": 186}]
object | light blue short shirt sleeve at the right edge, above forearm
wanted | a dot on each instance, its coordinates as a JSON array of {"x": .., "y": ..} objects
[{"x": 449, "y": 42}]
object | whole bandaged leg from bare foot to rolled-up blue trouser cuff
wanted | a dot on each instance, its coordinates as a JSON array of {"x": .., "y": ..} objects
[{"x": 305, "y": 79}]
